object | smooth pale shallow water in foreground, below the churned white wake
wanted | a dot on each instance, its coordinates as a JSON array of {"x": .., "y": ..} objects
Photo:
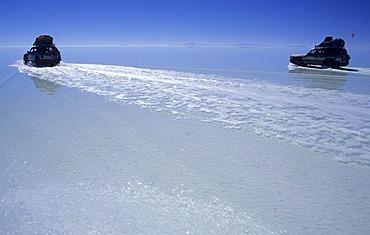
[{"x": 72, "y": 161}]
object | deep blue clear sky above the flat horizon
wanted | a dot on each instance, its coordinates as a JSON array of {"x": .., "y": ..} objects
[{"x": 183, "y": 21}]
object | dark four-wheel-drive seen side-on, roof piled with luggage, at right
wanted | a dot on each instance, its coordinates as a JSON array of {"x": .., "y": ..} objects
[{"x": 330, "y": 54}]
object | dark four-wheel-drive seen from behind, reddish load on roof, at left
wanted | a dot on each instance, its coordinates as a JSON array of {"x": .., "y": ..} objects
[{"x": 43, "y": 53}]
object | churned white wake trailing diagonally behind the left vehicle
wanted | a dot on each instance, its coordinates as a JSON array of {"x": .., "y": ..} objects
[{"x": 328, "y": 121}]
